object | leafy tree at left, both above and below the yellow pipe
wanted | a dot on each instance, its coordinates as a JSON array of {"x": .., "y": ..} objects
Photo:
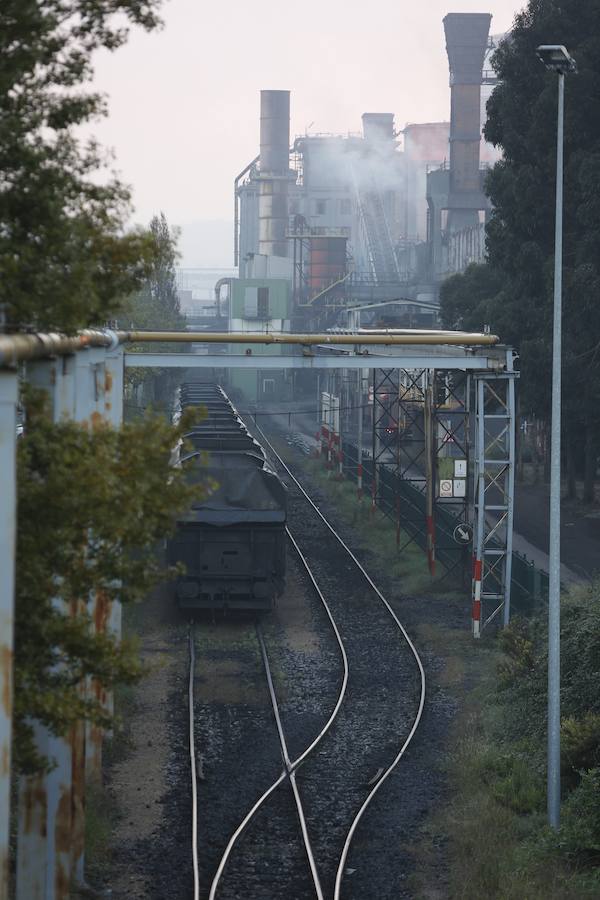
[{"x": 65, "y": 263}]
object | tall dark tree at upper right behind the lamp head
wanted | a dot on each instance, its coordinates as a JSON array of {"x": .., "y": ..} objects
[{"x": 520, "y": 234}]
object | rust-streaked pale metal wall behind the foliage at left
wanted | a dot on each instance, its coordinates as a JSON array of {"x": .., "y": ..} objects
[{"x": 87, "y": 388}]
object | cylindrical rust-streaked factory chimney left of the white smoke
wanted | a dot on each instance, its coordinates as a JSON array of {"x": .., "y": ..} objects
[{"x": 274, "y": 172}]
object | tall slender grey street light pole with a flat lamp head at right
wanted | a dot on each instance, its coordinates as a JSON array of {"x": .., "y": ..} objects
[{"x": 557, "y": 59}]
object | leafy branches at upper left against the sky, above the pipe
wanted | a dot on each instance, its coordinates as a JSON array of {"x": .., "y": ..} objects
[{"x": 64, "y": 257}]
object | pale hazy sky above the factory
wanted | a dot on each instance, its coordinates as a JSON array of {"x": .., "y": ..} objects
[{"x": 184, "y": 102}]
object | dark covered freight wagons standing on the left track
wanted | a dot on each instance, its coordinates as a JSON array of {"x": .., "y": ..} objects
[{"x": 232, "y": 543}]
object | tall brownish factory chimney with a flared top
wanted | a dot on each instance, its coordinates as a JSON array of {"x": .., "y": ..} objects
[{"x": 466, "y": 43}]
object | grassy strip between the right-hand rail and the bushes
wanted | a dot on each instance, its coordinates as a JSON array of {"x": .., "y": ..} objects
[{"x": 492, "y": 828}]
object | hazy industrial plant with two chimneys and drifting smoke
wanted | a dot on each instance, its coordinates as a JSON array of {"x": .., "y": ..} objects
[{"x": 338, "y": 231}]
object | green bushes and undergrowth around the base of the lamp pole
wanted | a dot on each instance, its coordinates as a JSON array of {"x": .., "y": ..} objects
[{"x": 495, "y": 824}]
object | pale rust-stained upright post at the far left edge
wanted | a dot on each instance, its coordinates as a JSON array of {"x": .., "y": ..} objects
[{"x": 8, "y": 528}]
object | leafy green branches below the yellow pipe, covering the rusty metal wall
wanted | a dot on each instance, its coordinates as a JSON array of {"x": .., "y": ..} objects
[{"x": 92, "y": 504}]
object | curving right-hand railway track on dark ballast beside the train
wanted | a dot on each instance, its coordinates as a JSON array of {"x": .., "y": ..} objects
[{"x": 335, "y": 779}]
